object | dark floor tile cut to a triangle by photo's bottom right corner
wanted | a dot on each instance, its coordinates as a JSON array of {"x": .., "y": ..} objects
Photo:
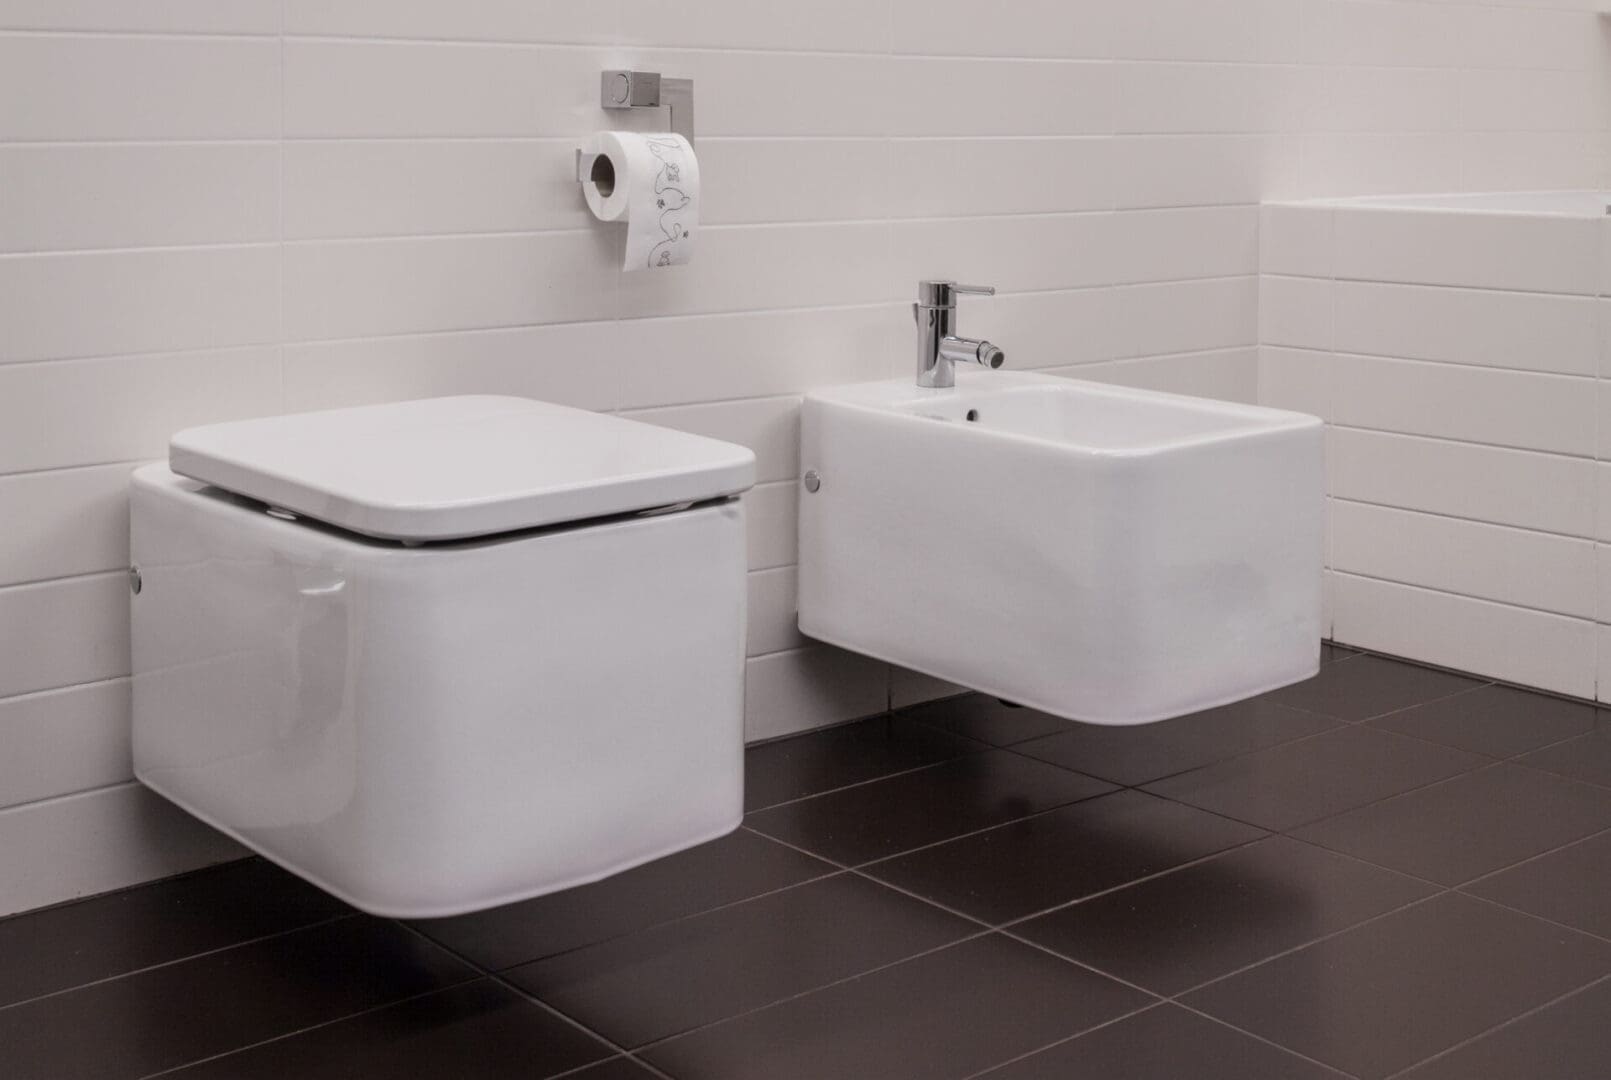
[{"x": 1562, "y": 1042}]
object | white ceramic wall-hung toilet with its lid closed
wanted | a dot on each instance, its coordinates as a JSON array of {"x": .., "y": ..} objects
[{"x": 444, "y": 655}]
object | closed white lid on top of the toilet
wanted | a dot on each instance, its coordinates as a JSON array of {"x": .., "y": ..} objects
[{"x": 457, "y": 468}]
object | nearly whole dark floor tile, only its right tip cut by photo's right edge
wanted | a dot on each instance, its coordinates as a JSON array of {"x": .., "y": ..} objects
[{"x": 1470, "y": 826}]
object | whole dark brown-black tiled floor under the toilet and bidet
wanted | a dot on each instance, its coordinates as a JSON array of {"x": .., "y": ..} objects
[{"x": 1386, "y": 871}]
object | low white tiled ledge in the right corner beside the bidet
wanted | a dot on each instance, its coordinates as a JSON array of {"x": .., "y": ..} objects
[{"x": 1460, "y": 359}]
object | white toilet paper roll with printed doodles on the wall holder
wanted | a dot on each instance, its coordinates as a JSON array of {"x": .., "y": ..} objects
[{"x": 650, "y": 181}]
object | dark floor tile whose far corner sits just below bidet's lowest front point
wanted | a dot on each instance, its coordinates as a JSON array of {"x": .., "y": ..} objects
[{"x": 1069, "y": 854}]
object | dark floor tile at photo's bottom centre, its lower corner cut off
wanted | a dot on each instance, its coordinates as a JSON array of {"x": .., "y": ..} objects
[{"x": 942, "y": 1016}]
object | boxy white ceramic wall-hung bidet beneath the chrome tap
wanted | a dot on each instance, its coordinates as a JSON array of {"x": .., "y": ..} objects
[{"x": 1101, "y": 554}]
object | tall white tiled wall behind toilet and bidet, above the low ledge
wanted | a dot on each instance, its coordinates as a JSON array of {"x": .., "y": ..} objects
[{"x": 215, "y": 210}]
